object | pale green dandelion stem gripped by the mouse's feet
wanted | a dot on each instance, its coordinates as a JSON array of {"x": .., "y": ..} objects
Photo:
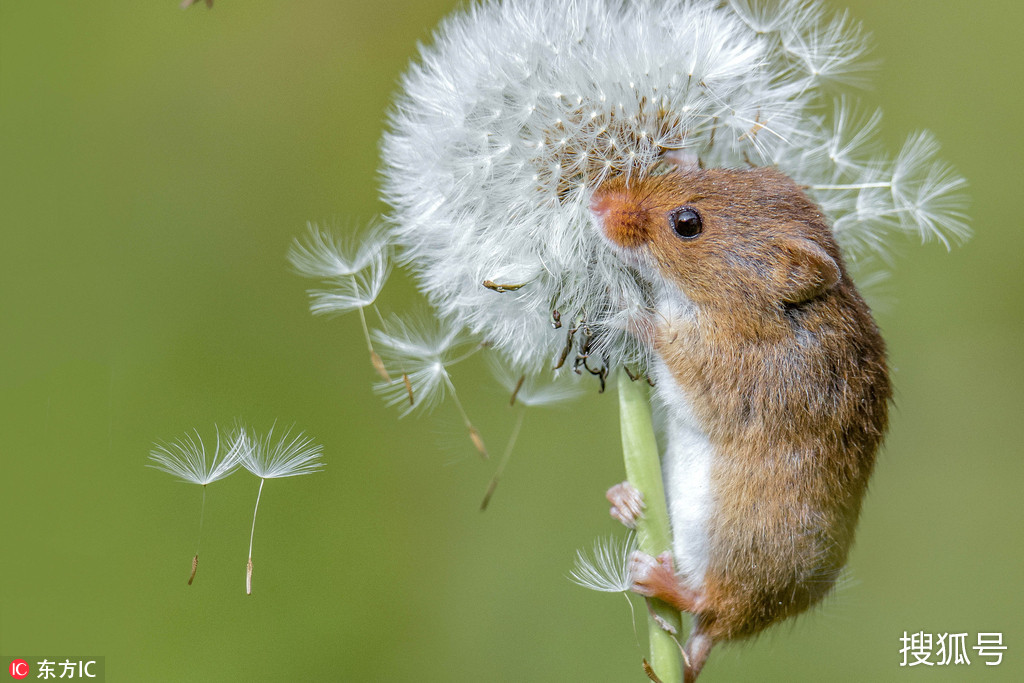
[{"x": 644, "y": 469}]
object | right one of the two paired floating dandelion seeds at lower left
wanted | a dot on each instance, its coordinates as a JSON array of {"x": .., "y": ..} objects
[{"x": 291, "y": 455}]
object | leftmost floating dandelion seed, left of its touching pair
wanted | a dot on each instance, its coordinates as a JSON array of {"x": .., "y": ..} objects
[{"x": 186, "y": 459}]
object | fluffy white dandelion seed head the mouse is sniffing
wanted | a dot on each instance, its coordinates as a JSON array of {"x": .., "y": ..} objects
[{"x": 520, "y": 110}]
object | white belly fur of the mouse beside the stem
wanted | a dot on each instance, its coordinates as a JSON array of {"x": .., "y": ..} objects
[{"x": 687, "y": 466}]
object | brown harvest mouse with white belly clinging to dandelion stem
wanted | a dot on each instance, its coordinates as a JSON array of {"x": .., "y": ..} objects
[{"x": 772, "y": 387}]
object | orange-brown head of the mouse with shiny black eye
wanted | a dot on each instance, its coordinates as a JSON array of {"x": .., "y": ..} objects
[{"x": 734, "y": 239}]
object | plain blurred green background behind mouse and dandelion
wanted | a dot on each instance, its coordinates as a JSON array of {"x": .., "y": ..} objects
[{"x": 156, "y": 165}]
